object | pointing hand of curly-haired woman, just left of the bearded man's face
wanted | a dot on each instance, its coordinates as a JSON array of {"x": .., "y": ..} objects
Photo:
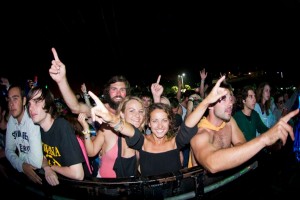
[{"x": 99, "y": 112}]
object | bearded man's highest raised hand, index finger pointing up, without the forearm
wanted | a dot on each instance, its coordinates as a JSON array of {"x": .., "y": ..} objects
[{"x": 57, "y": 70}]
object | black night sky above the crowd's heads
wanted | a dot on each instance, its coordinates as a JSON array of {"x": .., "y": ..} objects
[{"x": 142, "y": 39}]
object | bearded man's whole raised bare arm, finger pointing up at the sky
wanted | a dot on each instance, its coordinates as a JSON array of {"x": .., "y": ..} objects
[{"x": 57, "y": 72}]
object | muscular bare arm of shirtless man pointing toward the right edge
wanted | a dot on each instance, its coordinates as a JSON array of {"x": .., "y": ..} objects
[{"x": 215, "y": 160}]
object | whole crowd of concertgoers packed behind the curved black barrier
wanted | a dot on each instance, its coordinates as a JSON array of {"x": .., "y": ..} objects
[{"x": 151, "y": 133}]
